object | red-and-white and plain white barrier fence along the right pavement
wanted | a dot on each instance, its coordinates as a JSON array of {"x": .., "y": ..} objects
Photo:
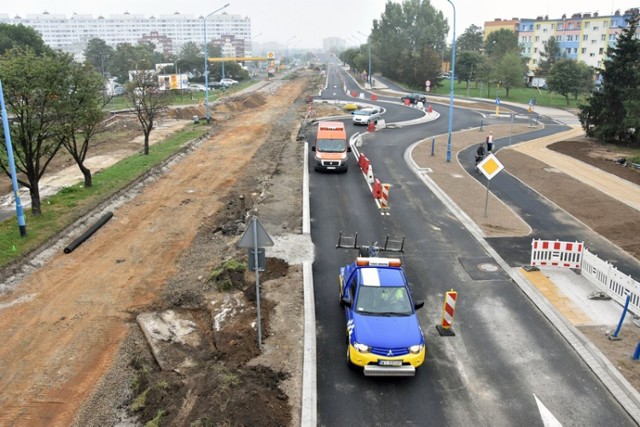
[{"x": 600, "y": 273}]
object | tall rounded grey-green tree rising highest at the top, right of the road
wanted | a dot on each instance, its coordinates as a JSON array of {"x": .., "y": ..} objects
[{"x": 408, "y": 40}]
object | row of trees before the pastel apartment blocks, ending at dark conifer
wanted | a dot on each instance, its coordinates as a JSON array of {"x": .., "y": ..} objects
[{"x": 407, "y": 44}]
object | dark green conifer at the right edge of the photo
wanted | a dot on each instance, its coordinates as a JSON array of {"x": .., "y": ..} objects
[{"x": 611, "y": 114}]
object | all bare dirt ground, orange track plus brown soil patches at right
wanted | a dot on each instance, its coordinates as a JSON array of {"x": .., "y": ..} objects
[{"x": 78, "y": 355}]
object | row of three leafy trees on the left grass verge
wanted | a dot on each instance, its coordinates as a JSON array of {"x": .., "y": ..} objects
[{"x": 56, "y": 103}]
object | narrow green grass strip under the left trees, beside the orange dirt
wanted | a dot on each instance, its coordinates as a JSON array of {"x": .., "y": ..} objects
[{"x": 71, "y": 203}]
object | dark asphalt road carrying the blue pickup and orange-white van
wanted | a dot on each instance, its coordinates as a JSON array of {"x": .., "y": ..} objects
[{"x": 505, "y": 358}]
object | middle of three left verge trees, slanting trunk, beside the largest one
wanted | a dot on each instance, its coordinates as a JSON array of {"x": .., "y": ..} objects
[{"x": 82, "y": 114}]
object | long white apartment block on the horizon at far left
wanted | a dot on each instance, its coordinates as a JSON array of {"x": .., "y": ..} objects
[{"x": 167, "y": 32}]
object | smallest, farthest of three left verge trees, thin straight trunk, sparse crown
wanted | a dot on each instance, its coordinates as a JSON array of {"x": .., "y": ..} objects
[{"x": 146, "y": 100}]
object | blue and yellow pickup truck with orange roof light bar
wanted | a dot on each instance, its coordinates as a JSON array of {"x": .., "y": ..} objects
[{"x": 383, "y": 333}]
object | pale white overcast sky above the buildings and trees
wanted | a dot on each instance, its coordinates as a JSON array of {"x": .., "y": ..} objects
[{"x": 304, "y": 23}]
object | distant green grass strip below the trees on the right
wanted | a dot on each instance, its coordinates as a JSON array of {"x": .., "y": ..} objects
[{"x": 520, "y": 95}]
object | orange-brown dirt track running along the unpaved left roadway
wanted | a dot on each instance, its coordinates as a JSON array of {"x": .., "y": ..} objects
[{"x": 63, "y": 326}]
